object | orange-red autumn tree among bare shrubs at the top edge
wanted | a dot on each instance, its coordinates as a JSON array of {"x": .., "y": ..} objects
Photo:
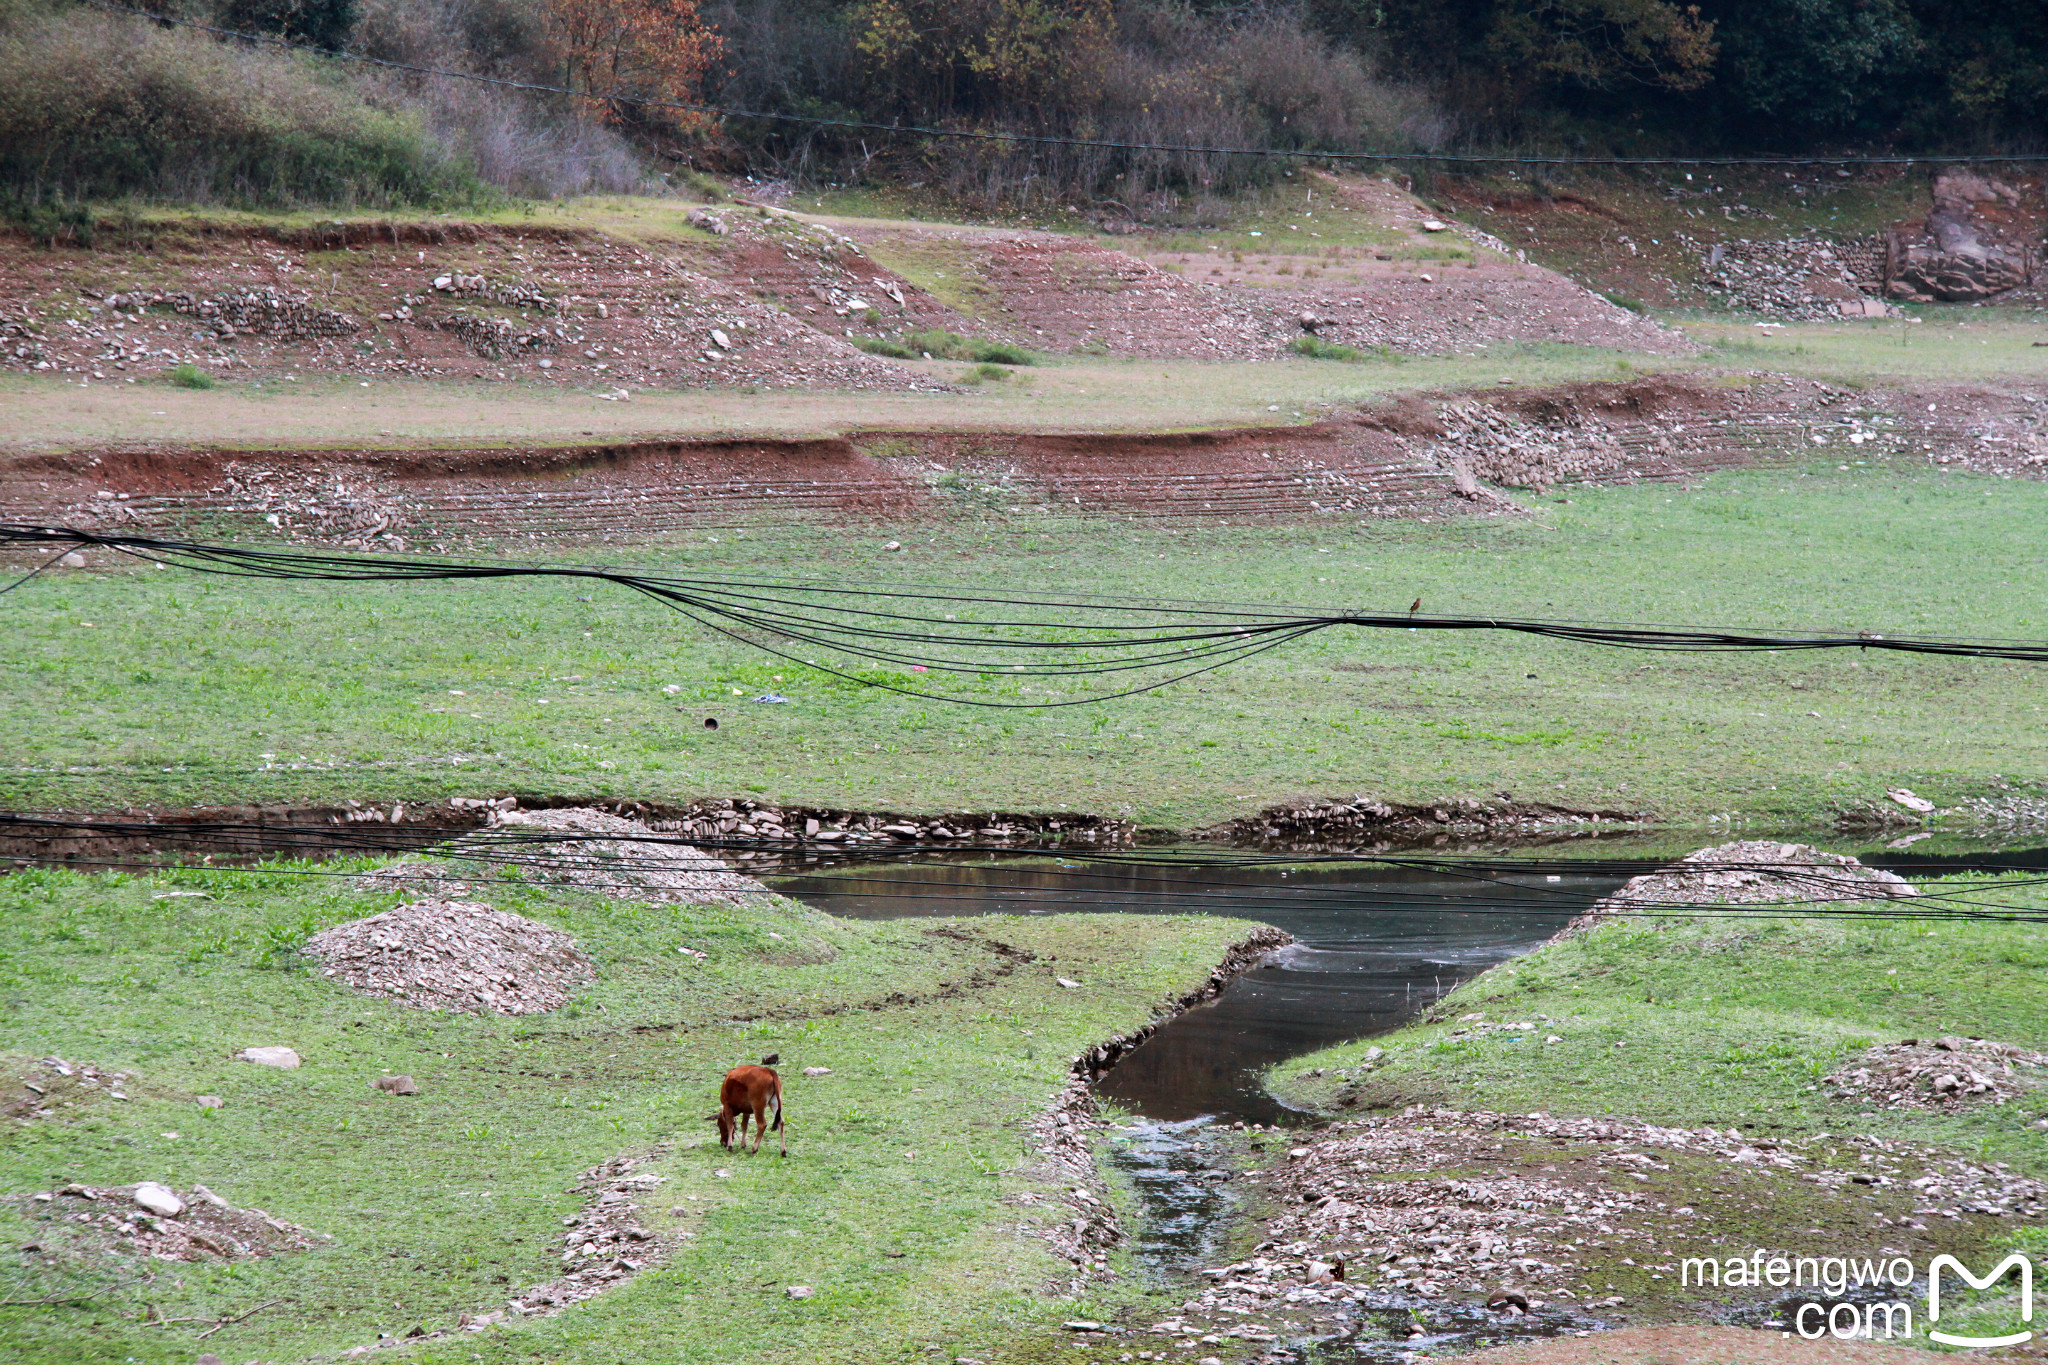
[{"x": 630, "y": 58}]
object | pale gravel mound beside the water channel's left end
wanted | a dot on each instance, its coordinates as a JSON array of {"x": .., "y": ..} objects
[{"x": 632, "y": 865}]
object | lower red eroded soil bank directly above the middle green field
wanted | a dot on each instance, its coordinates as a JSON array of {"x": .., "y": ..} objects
[{"x": 1400, "y": 459}]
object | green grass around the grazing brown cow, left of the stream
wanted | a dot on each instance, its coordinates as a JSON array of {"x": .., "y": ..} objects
[{"x": 896, "y": 1200}]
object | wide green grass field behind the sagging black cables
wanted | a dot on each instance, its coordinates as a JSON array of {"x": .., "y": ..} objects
[{"x": 120, "y": 680}]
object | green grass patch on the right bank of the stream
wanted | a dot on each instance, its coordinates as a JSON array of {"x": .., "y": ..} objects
[{"x": 1727, "y": 1022}]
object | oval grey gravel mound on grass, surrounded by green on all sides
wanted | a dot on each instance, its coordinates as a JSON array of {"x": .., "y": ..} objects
[{"x": 456, "y": 955}]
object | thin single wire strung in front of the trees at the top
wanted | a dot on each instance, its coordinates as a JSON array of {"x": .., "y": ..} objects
[{"x": 1052, "y": 140}]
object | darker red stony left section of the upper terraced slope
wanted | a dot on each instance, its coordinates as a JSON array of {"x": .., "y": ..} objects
[{"x": 566, "y": 308}]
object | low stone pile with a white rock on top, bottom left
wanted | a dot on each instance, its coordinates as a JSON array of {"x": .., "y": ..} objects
[{"x": 151, "y": 1221}]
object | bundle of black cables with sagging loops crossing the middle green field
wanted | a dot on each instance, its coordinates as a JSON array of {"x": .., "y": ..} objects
[{"x": 1002, "y": 635}]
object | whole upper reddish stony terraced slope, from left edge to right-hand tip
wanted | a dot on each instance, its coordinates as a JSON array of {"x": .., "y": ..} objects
[{"x": 740, "y": 300}]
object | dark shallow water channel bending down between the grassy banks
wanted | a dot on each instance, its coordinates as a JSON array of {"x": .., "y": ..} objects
[{"x": 1375, "y": 946}]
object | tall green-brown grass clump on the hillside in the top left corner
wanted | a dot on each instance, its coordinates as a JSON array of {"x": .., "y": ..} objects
[{"x": 99, "y": 107}]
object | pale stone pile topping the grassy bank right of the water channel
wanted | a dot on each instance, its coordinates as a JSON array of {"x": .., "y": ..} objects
[{"x": 1750, "y": 873}]
